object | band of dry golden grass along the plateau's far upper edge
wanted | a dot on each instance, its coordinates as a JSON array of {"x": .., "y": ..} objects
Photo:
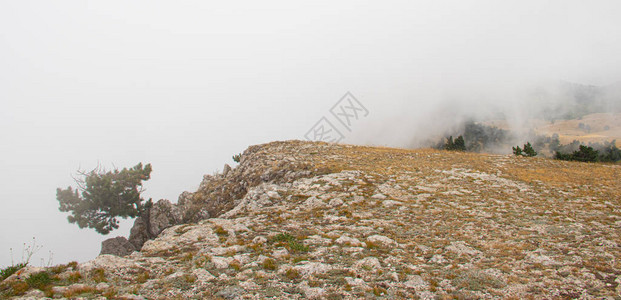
[{"x": 386, "y": 161}]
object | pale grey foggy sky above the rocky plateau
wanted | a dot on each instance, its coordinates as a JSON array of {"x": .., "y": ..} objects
[{"x": 186, "y": 84}]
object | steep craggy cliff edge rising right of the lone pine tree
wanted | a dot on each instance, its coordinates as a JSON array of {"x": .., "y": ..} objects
[{"x": 271, "y": 163}]
